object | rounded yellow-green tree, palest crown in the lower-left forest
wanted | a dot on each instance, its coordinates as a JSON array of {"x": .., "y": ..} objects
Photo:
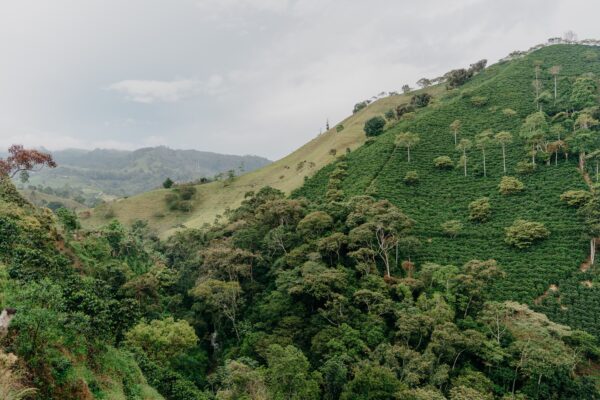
[{"x": 162, "y": 339}]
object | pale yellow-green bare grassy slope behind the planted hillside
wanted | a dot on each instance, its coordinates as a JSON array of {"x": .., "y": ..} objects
[{"x": 214, "y": 198}]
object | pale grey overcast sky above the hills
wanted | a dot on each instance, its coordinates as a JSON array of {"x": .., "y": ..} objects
[{"x": 239, "y": 76}]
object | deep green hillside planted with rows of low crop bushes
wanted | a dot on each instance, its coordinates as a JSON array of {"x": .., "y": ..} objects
[{"x": 379, "y": 169}]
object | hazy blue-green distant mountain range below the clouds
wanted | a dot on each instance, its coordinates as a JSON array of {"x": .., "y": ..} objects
[{"x": 125, "y": 173}]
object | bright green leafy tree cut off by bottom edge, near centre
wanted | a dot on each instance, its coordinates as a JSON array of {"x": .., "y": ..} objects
[{"x": 288, "y": 375}]
